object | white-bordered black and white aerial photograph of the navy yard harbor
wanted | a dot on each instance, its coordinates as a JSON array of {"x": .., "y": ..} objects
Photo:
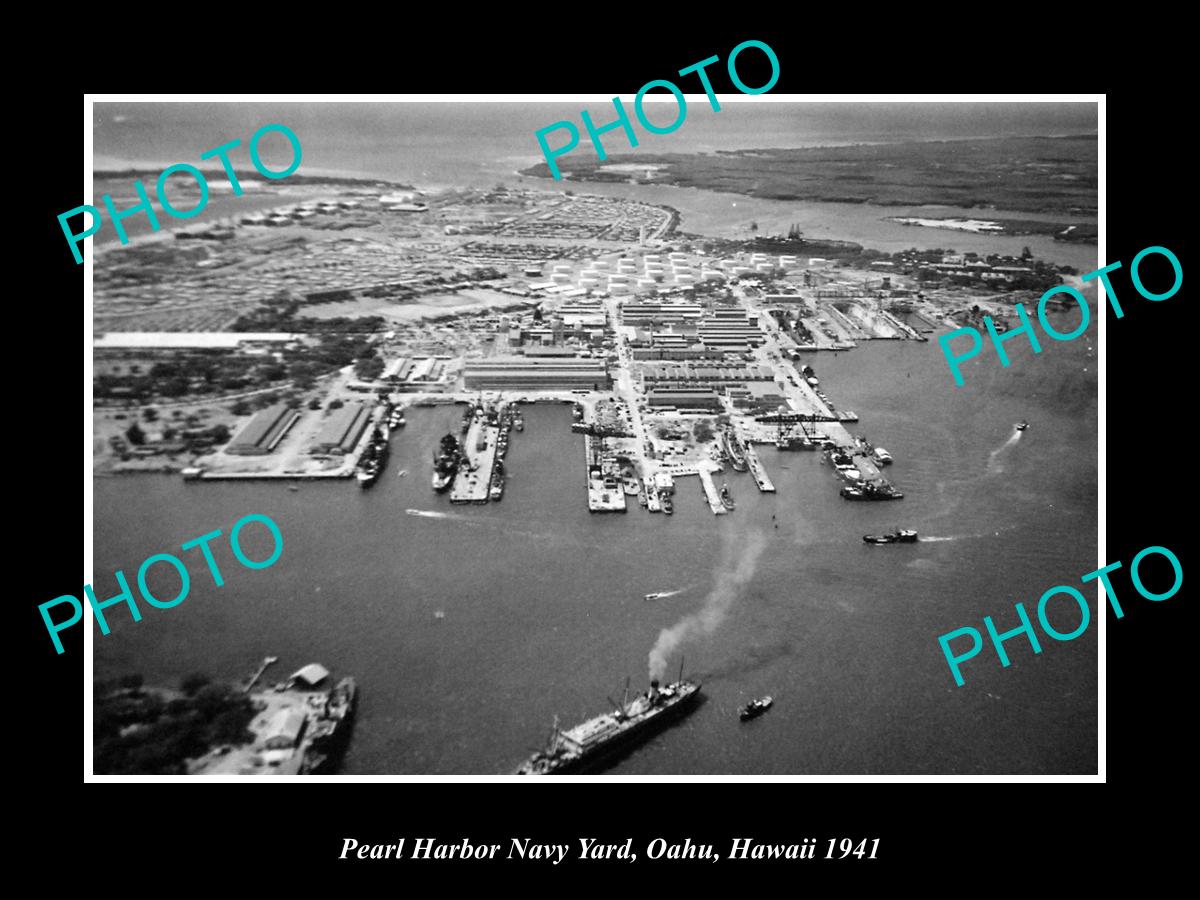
[{"x": 521, "y": 439}]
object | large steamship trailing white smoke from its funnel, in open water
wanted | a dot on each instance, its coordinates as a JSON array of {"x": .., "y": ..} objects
[{"x": 589, "y": 746}]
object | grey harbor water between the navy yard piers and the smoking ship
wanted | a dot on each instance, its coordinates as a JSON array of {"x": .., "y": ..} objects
[{"x": 471, "y": 628}]
